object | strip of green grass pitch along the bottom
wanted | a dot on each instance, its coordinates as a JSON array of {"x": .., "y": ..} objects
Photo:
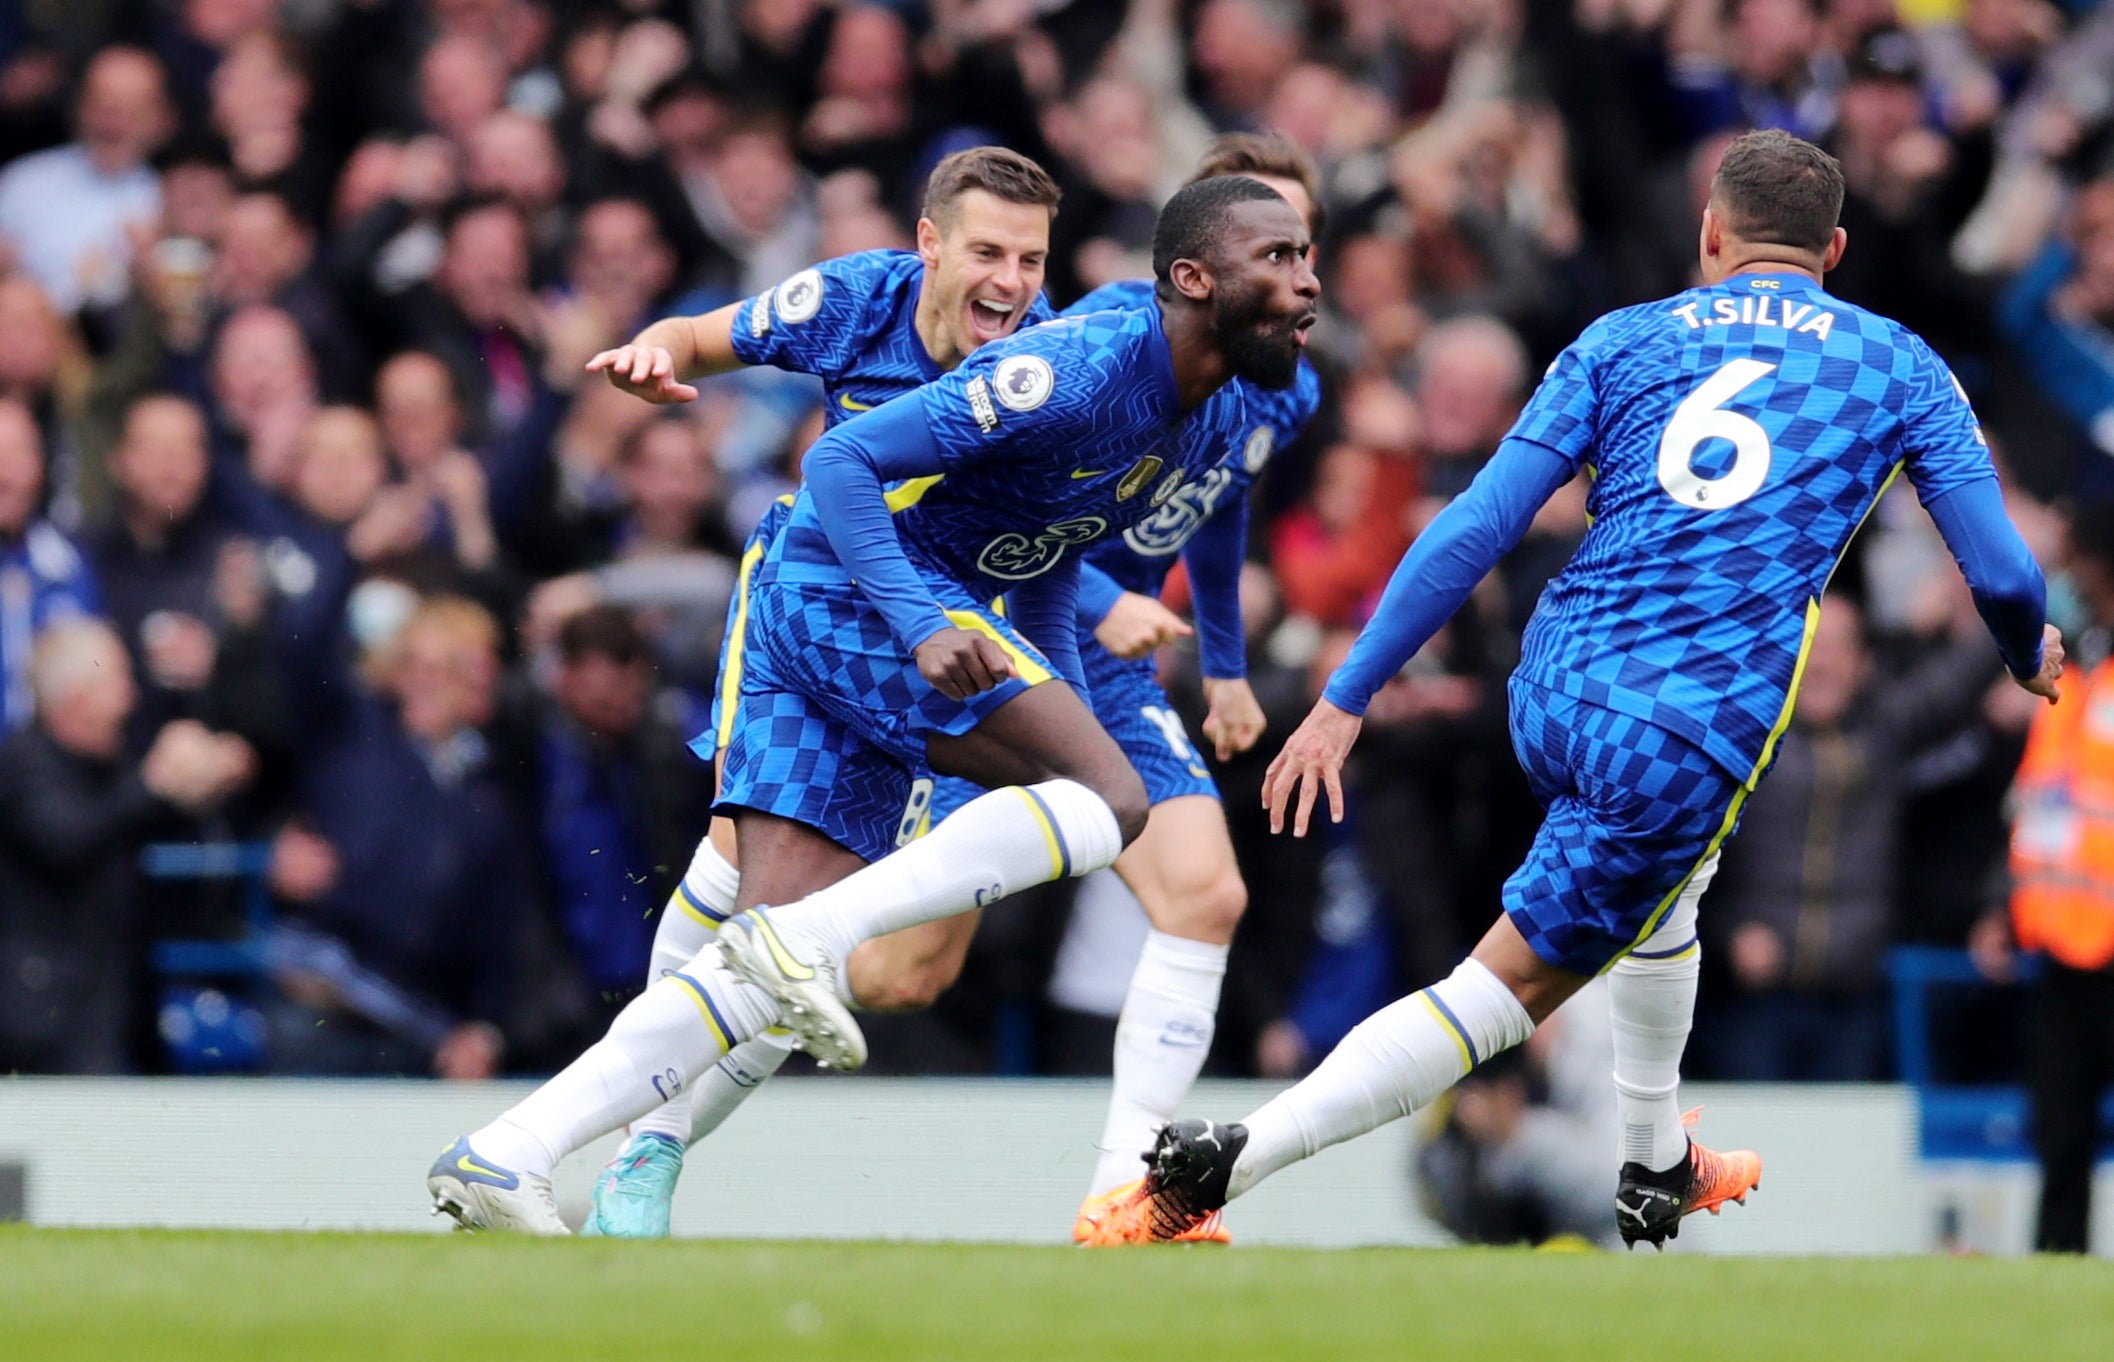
[{"x": 223, "y": 1297}]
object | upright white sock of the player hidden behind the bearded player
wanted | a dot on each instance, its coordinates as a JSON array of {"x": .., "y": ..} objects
[{"x": 1162, "y": 1039}]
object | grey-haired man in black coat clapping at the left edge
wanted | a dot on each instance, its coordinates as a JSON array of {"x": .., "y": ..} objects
[{"x": 75, "y": 813}]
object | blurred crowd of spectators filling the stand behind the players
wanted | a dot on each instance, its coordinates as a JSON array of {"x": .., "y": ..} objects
[{"x": 316, "y": 536}]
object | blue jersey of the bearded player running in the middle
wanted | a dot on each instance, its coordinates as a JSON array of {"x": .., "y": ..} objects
[{"x": 1052, "y": 441}]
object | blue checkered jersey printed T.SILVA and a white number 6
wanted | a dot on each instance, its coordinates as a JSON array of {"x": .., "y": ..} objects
[{"x": 1737, "y": 435}]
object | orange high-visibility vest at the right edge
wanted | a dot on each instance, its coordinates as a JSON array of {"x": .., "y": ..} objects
[{"x": 2062, "y": 834}]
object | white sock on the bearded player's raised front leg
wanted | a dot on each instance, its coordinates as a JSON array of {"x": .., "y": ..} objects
[{"x": 999, "y": 843}]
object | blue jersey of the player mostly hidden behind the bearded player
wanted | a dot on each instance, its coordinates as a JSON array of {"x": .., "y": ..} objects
[{"x": 1143, "y": 557}]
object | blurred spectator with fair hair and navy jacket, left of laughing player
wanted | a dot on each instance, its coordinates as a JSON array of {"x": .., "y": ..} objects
[{"x": 407, "y": 855}]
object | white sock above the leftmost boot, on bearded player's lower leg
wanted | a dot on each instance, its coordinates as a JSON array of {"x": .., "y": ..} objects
[{"x": 654, "y": 1050}]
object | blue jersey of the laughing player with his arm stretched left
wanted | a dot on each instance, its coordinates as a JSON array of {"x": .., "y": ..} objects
[{"x": 853, "y": 325}]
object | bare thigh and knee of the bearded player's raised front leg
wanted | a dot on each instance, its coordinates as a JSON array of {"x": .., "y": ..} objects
[{"x": 1045, "y": 733}]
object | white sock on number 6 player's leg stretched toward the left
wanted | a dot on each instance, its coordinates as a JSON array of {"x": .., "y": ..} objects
[{"x": 1392, "y": 1063}]
